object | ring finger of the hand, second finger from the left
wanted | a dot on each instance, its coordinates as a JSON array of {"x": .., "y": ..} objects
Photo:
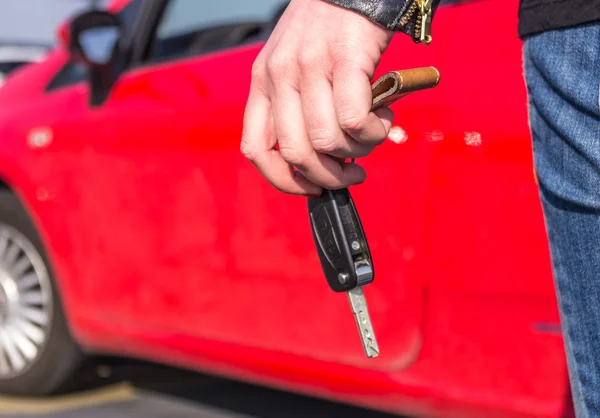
[{"x": 296, "y": 149}]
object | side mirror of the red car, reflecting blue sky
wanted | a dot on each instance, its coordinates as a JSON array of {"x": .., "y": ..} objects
[{"x": 94, "y": 41}]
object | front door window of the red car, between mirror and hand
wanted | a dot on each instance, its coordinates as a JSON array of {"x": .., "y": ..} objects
[{"x": 192, "y": 27}]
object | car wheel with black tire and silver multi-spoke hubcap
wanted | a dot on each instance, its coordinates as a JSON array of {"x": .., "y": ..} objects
[{"x": 29, "y": 298}]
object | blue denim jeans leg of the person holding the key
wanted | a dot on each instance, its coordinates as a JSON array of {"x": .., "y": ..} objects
[{"x": 562, "y": 72}]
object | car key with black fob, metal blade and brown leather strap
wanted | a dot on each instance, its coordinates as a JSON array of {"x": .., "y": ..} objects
[{"x": 337, "y": 230}]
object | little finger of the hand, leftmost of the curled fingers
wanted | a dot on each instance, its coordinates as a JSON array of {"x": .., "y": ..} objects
[{"x": 258, "y": 145}]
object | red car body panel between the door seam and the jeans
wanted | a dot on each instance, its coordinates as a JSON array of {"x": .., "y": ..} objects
[{"x": 492, "y": 321}]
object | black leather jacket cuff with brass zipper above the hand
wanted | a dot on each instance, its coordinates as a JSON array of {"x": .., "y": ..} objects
[{"x": 395, "y": 15}]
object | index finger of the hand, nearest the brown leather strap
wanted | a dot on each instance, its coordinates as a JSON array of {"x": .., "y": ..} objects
[{"x": 353, "y": 99}]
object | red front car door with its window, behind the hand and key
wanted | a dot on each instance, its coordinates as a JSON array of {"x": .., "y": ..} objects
[{"x": 183, "y": 236}]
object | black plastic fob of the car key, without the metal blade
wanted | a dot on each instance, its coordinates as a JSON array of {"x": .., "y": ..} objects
[{"x": 340, "y": 240}]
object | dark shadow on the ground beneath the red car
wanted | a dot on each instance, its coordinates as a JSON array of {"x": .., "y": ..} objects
[{"x": 231, "y": 397}]
